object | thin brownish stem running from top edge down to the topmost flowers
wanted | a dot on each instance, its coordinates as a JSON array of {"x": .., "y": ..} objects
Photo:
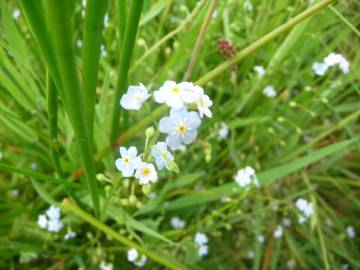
[{"x": 200, "y": 38}]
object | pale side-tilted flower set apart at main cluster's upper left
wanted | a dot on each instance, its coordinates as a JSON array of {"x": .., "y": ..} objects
[{"x": 134, "y": 97}]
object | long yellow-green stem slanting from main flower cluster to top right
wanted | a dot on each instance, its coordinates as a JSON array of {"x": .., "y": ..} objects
[{"x": 262, "y": 41}]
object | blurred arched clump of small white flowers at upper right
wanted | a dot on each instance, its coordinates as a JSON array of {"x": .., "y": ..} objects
[{"x": 333, "y": 59}]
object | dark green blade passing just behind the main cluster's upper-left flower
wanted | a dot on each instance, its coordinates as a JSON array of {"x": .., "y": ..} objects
[{"x": 125, "y": 58}]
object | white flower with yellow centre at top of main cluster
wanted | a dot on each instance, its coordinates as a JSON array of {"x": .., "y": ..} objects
[{"x": 175, "y": 95}]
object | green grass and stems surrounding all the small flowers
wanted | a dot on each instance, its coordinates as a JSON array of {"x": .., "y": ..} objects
[{"x": 61, "y": 125}]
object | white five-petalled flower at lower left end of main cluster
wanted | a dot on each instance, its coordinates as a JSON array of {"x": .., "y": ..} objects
[{"x": 128, "y": 161}]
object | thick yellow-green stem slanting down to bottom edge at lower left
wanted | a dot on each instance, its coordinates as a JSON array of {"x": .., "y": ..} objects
[{"x": 170, "y": 263}]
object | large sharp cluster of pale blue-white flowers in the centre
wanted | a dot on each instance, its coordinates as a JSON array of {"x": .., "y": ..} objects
[{"x": 180, "y": 126}]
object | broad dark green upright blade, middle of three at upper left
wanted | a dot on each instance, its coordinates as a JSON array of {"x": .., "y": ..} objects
[{"x": 94, "y": 22}]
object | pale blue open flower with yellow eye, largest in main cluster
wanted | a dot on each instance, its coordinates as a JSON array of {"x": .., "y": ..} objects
[{"x": 181, "y": 126}]
